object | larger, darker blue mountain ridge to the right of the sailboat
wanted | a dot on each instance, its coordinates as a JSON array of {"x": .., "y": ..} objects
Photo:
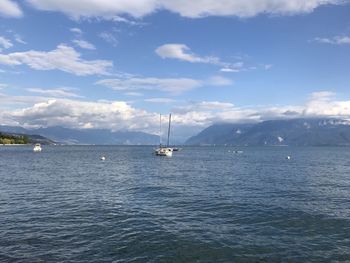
[{"x": 295, "y": 132}]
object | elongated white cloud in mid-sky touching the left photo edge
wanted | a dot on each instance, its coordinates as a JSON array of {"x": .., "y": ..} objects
[{"x": 62, "y": 58}]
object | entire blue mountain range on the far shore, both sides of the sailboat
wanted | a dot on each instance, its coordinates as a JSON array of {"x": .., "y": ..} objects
[{"x": 292, "y": 132}]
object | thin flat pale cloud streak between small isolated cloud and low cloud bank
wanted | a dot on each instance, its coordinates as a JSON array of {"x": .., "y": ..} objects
[{"x": 169, "y": 85}]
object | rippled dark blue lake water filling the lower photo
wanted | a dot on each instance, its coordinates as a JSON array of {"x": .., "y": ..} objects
[{"x": 201, "y": 205}]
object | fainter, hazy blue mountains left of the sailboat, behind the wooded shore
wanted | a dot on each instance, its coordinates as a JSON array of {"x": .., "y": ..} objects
[{"x": 88, "y": 136}]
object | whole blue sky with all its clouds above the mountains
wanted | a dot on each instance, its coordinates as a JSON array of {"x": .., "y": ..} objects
[{"x": 118, "y": 64}]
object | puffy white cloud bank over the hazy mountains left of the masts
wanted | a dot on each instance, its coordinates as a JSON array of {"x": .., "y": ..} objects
[{"x": 114, "y": 115}]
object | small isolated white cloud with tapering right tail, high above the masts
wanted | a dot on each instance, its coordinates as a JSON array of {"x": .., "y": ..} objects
[{"x": 182, "y": 52}]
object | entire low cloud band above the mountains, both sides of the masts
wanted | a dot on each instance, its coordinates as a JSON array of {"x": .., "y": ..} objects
[{"x": 189, "y": 117}]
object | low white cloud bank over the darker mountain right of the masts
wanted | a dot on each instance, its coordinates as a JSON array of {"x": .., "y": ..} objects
[{"x": 205, "y": 113}]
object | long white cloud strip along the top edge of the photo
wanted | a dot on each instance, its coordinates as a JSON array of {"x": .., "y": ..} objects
[{"x": 201, "y": 8}]
